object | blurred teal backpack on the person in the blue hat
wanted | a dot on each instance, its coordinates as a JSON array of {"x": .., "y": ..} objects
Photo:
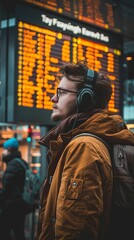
[{"x": 31, "y": 185}]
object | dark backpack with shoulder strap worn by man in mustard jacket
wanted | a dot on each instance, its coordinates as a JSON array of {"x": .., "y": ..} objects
[{"x": 122, "y": 159}]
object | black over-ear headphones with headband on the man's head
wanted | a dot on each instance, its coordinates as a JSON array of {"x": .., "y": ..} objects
[{"x": 86, "y": 96}]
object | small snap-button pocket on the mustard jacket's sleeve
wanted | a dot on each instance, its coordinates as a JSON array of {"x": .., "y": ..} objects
[{"x": 74, "y": 189}]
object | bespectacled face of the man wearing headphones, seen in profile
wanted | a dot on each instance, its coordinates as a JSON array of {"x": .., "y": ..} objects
[{"x": 64, "y": 101}]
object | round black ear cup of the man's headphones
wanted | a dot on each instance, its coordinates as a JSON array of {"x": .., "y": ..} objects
[{"x": 85, "y": 99}]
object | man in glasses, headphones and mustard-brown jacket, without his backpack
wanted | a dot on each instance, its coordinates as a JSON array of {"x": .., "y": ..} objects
[{"x": 76, "y": 197}]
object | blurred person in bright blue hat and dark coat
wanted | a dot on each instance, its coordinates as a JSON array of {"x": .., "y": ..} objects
[{"x": 13, "y": 208}]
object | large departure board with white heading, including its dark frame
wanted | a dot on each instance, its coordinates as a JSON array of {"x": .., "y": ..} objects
[{"x": 38, "y": 46}]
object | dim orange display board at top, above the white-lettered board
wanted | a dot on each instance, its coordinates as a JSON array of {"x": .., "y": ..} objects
[{"x": 102, "y": 13}]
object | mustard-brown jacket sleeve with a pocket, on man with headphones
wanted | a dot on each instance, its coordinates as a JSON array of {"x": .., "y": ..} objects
[{"x": 86, "y": 179}]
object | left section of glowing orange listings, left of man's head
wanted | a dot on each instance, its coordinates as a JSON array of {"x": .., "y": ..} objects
[{"x": 41, "y": 52}]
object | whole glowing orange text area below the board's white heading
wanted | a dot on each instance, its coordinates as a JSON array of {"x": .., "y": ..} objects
[{"x": 42, "y": 51}]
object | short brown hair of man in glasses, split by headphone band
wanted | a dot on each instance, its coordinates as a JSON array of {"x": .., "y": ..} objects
[{"x": 102, "y": 87}]
